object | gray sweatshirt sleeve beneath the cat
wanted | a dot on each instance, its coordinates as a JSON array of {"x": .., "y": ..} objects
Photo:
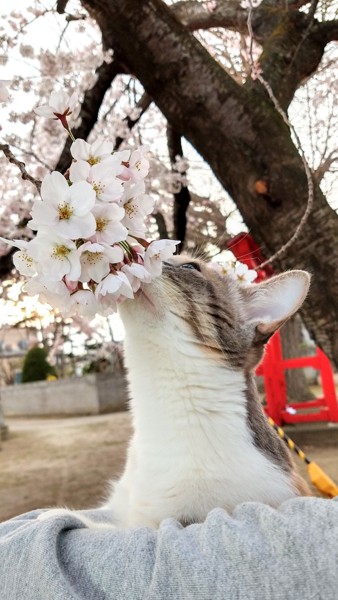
[{"x": 257, "y": 553}]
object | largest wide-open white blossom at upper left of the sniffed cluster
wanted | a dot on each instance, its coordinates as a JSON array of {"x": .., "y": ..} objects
[{"x": 65, "y": 208}]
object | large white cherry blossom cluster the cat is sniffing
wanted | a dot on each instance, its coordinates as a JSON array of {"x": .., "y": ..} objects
[{"x": 89, "y": 251}]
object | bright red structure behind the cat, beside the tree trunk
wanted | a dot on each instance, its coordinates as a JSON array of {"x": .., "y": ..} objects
[{"x": 273, "y": 365}]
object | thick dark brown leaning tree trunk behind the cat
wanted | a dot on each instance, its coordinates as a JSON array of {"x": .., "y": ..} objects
[{"x": 238, "y": 131}]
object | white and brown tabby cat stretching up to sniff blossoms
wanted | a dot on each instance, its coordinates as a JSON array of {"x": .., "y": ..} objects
[{"x": 201, "y": 440}]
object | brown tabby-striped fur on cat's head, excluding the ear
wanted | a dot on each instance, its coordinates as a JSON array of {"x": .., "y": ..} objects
[{"x": 212, "y": 305}]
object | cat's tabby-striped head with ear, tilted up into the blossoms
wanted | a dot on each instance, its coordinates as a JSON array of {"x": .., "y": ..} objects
[{"x": 230, "y": 319}]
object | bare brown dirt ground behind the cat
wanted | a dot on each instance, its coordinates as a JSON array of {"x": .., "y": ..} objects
[{"x": 69, "y": 461}]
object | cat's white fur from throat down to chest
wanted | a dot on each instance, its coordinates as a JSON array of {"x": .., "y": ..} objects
[{"x": 192, "y": 449}]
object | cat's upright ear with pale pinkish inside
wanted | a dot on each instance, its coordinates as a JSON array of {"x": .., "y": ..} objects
[{"x": 270, "y": 303}]
